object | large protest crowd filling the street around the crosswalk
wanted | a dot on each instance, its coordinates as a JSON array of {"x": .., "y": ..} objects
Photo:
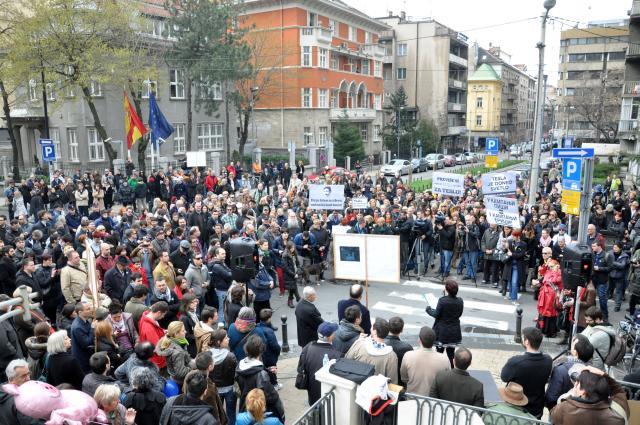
[{"x": 163, "y": 334}]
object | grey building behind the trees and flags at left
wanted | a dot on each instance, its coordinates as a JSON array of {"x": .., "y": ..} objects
[{"x": 71, "y": 125}]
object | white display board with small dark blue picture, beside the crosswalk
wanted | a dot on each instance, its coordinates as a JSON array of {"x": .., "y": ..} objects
[{"x": 367, "y": 257}]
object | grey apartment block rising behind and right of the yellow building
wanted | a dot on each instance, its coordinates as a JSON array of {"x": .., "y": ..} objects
[{"x": 518, "y": 98}]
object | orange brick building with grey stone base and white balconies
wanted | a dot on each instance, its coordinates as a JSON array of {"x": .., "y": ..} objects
[{"x": 326, "y": 65}]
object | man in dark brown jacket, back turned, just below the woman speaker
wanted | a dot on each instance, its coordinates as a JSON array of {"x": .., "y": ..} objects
[{"x": 457, "y": 385}]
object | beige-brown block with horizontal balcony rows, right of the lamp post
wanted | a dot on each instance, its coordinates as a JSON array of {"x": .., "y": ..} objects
[{"x": 591, "y": 68}]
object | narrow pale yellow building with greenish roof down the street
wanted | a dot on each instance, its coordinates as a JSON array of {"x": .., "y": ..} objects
[{"x": 484, "y": 104}]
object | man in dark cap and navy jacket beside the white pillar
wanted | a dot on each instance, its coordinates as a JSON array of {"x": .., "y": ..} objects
[{"x": 312, "y": 357}]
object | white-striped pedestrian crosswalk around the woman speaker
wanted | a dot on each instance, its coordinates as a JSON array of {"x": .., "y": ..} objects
[{"x": 484, "y": 308}]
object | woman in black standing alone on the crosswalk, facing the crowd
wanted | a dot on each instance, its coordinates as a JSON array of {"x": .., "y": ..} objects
[{"x": 447, "y": 314}]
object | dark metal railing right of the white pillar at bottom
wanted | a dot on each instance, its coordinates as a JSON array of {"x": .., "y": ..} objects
[{"x": 432, "y": 411}]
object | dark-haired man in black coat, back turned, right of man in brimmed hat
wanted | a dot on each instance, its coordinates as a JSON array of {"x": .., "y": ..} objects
[{"x": 531, "y": 370}]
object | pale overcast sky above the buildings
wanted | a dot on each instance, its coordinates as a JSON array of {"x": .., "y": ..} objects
[{"x": 518, "y": 39}]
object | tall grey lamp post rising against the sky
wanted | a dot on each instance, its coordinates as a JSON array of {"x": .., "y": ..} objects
[{"x": 537, "y": 133}]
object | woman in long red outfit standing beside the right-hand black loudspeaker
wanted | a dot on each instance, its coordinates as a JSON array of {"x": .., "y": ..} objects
[{"x": 547, "y": 299}]
